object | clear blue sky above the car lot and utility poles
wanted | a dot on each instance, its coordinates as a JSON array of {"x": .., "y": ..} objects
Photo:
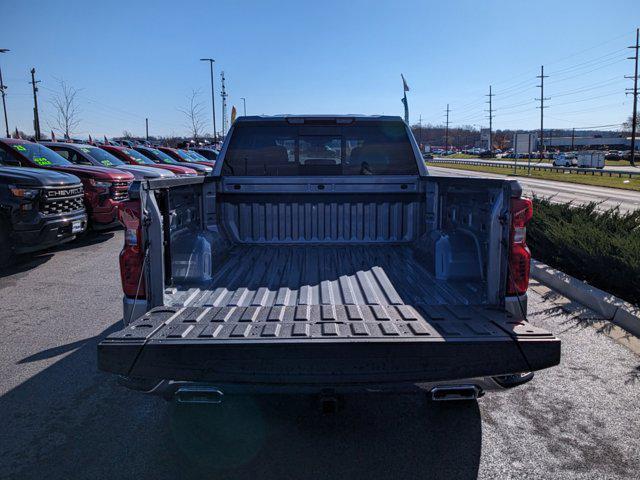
[{"x": 140, "y": 59}]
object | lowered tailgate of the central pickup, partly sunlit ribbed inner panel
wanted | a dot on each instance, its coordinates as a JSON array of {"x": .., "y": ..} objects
[{"x": 326, "y": 344}]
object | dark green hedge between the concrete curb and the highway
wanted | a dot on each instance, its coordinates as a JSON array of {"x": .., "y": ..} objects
[{"x": 602, "y": 248}]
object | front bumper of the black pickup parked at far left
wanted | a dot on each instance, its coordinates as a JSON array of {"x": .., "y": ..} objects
[{"x": 47, "y": 233}]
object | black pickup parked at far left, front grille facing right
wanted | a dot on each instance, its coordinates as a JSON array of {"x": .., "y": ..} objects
[{"x": 38, "y": 209}]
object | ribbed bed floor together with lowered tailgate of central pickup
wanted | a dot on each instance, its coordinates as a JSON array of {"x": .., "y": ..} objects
[{"x": 328, "y": 315}]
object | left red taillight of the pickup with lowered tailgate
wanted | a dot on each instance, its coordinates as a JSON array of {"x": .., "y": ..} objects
[{"x": 132, "y": 254}]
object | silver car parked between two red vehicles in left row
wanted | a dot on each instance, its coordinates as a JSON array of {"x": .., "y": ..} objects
[{"x": 85, "y": 154}]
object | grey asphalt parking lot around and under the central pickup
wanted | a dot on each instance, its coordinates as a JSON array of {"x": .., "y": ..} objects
[{"x": 64, "y": 419}]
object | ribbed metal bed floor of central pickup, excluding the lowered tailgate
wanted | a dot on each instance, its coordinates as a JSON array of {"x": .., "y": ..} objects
[{"x": 322, "y": 275}]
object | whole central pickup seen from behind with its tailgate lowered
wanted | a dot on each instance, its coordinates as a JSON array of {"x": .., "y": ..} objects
[{"x": 321, "y": 257}]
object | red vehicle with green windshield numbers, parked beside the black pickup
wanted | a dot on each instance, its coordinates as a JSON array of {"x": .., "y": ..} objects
[{"x": 104, "y": 188}]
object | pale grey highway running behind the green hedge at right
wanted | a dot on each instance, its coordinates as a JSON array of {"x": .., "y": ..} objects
[{"x": 558, "y": 192}]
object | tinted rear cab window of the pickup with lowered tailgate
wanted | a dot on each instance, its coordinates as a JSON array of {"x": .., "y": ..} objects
[{"x": 380, "y": 148}]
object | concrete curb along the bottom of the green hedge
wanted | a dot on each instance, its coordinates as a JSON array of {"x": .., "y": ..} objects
[{"x": 609, "y": 306}]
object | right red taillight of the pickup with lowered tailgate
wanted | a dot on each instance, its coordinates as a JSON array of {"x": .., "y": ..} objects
[{"x": 519, "y": 255}]
